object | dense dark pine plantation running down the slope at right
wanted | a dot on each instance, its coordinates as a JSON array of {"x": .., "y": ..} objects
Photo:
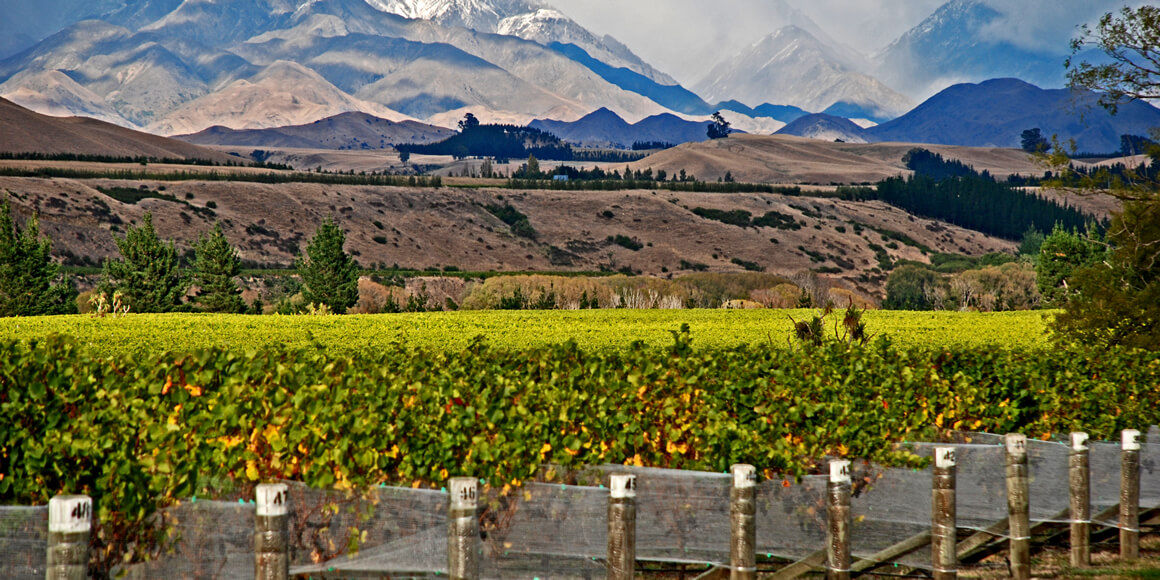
[{"x": 954, "y": 193}]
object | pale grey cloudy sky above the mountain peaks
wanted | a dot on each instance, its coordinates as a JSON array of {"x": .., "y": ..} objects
[{"x": 686, "y": 39}]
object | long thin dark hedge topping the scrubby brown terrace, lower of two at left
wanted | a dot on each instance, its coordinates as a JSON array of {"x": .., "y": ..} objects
[{"x": 332, "y": 179}]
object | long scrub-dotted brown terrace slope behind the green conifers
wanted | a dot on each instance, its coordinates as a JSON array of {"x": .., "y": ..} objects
[{"x": 423, "y": 228}]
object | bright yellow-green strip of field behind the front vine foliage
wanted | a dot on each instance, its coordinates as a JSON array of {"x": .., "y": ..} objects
[{"x": 592, "y": 330}]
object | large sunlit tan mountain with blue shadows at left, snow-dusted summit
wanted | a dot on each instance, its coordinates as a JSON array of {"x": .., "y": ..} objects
[{"x": 150, "y": 76}]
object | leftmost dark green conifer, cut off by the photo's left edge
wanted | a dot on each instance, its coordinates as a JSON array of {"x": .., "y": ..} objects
[{"x": 31, "y": 284}]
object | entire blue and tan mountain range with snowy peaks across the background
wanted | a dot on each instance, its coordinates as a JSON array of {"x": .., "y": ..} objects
[{"x": 185, "y": 67}]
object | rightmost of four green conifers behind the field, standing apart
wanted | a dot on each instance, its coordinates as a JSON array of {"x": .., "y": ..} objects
[{"x": 330, "y": 275}]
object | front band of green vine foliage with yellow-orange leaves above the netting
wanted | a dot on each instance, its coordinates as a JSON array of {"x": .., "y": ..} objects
[{"x": 140, "y": 433}]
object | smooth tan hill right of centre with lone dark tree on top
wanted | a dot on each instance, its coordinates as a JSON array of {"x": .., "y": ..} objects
[{"x": 787, "y": 159}]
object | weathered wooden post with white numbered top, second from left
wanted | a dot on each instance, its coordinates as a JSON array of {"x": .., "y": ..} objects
[{"x": 272, "y": 533}]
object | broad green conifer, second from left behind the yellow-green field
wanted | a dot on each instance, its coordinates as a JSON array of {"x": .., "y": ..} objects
[{"x": 148, "y": 274}]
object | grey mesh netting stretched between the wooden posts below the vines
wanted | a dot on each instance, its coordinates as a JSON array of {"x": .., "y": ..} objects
[{"x": 559, "y": 531}]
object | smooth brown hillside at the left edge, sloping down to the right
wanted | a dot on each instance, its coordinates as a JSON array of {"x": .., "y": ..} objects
[{"x": 25, "y": 132}]
